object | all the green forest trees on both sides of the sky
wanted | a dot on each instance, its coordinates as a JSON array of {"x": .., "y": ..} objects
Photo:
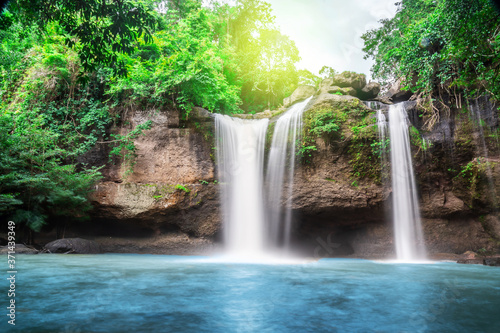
[{"x": 70, "y": 69}]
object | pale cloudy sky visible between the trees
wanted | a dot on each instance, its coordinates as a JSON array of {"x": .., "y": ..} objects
[{"x": 327, "y": 32}]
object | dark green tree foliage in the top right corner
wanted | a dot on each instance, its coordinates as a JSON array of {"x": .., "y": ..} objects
[{"x": 446, "y": 45}]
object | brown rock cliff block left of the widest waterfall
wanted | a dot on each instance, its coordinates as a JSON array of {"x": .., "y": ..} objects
[{"x": 171, "y": 186}]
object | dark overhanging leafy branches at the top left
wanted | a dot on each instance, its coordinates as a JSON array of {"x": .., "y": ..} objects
[{"x": 99, "y": 29}]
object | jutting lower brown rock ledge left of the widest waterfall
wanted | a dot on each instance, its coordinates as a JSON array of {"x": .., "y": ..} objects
[{"x": 156, "y": 206}]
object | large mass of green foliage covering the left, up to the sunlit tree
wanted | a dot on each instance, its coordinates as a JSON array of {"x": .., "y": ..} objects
[{"x": 70, "y": 70}]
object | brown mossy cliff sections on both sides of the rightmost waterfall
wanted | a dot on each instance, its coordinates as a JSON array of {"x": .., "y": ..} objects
[{"x": 333, "y": 205}]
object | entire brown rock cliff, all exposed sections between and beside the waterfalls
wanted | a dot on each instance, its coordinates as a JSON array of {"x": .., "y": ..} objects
[{"x": 338, "y": 196}]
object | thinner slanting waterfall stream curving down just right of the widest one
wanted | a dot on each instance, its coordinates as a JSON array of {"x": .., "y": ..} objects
[{"x": 279, "y": 177}]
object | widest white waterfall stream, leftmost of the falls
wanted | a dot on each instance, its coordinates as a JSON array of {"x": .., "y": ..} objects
[{"x": 240, "y": 160}]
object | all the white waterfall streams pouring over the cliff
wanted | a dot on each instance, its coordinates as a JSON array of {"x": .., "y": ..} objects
[{"x": 250, "y": 230}]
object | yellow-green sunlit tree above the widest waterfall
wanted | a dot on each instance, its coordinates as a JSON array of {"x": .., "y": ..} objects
[{"x": 263, "y": 63}]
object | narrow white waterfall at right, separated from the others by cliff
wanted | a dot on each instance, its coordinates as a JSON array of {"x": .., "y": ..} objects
[{"x": 406, "y": 214}]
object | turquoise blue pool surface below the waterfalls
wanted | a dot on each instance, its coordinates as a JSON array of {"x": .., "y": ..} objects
[{"x": 151, "y": 293}]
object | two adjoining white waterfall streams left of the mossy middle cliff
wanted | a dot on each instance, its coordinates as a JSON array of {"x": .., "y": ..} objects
[{"x": 249, "y": 232}]
